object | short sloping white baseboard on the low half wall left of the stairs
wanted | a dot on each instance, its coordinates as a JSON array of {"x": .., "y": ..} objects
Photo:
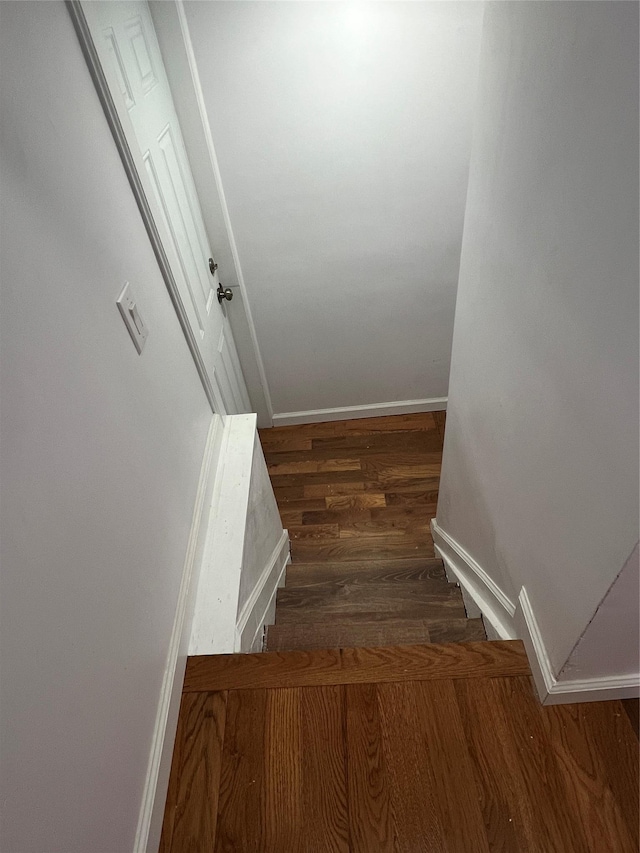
[{"x": 256, "y": 613}]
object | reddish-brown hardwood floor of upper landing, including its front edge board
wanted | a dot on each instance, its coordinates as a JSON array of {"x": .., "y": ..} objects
[{"x": 430, "y": 748}]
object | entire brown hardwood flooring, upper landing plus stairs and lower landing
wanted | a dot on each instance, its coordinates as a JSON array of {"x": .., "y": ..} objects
[{"x": 379, "y": 723}]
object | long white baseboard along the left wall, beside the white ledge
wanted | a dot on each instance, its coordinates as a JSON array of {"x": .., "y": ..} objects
[{"x": 147, "y": 839}]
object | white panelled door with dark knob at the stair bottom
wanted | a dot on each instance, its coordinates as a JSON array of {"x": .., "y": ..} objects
[{"x": 126, "y": 42}]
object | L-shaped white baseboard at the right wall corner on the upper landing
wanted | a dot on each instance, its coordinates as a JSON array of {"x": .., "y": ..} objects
[{"x": 554, "y": 692}]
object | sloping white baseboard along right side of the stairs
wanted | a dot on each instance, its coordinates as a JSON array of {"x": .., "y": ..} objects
[{"x": 496, "y": 607}]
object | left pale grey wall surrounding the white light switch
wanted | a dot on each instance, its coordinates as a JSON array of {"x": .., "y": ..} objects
[{"x": 100, "y": 457}]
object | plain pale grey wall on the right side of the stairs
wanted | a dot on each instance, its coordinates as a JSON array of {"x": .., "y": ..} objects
[{"x": 540, "y": 469}]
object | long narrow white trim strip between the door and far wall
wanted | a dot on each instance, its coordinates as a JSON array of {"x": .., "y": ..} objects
[{"x": 206, "y": 127}]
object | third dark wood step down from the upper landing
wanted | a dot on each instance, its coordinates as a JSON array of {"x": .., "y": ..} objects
[{"x": 304, "y": 574}]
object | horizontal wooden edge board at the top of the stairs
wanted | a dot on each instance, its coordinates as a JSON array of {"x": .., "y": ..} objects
[{"x": 356, "y": 666}]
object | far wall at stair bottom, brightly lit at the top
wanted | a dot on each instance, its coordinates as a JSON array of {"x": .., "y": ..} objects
[{"x": 343, "y": 136}]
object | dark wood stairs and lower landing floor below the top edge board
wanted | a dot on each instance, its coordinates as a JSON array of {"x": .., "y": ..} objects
[{"x": 357, "y": 498}]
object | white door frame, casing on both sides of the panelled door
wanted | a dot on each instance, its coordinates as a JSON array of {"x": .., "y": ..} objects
[{"x": 124, "y": 139}]
